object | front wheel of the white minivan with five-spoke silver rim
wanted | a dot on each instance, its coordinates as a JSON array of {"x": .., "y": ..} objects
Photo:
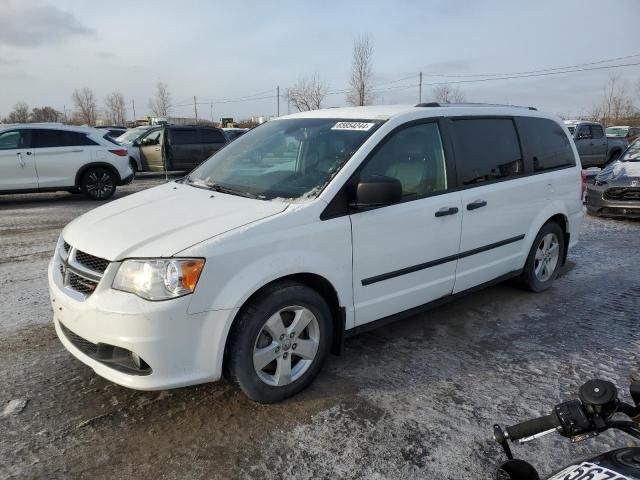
[{"x": 263, "y": 343}]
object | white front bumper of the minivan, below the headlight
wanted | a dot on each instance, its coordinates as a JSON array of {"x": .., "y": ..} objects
[{"x": 179, "y": 348}]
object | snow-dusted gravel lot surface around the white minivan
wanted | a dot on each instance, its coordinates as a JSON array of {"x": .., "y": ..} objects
[{"x": 415, "y": 399}]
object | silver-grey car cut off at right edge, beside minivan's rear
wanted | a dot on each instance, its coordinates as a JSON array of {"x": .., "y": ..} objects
[{"x": 616, "y": 190}]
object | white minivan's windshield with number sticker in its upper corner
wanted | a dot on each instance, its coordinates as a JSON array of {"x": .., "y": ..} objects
[{"x": 284, "y": 159}]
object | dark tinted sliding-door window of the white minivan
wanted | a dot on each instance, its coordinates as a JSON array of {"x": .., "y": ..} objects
[{"x": 487, "y": 149}]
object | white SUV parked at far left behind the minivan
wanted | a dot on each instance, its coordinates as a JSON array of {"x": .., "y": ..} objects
[{"x": 51, "y": 157}]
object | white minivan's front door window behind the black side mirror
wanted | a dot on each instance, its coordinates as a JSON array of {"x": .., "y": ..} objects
[{"x": 414, "y": 156}]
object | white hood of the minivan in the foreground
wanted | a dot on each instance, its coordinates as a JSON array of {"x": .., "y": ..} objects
[{"x": 162, "y": 221}]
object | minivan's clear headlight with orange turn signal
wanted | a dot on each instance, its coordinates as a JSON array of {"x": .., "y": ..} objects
[{"x": 159, "y": 279}]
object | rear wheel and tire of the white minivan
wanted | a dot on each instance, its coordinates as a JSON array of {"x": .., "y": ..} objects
[{"x": 545, "y": 258}]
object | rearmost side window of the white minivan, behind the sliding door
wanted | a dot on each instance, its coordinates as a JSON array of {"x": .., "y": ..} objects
[{"x": 545, "y": 144}]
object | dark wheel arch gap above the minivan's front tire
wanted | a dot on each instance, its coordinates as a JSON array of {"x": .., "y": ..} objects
[{"x": 314, "y": 281}]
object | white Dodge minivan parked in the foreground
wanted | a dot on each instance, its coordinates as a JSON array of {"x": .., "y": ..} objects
[{"x": 308, "y": 229}]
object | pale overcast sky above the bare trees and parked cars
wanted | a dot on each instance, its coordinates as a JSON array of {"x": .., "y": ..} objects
[{"x": 222, "y": 50}]
